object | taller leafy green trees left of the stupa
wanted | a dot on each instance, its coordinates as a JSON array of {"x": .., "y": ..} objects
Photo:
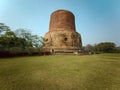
[{"x": 19, "y": 42}]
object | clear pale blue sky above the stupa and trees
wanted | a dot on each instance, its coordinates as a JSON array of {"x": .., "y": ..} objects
[{"x": 96, "y": 20}]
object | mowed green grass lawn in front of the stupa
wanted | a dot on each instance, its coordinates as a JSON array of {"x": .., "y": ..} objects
[{"x": 61, "y": 72}]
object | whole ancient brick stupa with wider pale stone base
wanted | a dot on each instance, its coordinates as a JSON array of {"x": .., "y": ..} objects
[{"x": 62, "y": 36}]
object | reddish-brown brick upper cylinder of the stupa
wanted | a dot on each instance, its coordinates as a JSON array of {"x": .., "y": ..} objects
[{"x": 62, "y": 20}]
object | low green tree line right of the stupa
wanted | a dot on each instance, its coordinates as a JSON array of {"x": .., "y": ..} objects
[{"x": 103, "y": 47}]
